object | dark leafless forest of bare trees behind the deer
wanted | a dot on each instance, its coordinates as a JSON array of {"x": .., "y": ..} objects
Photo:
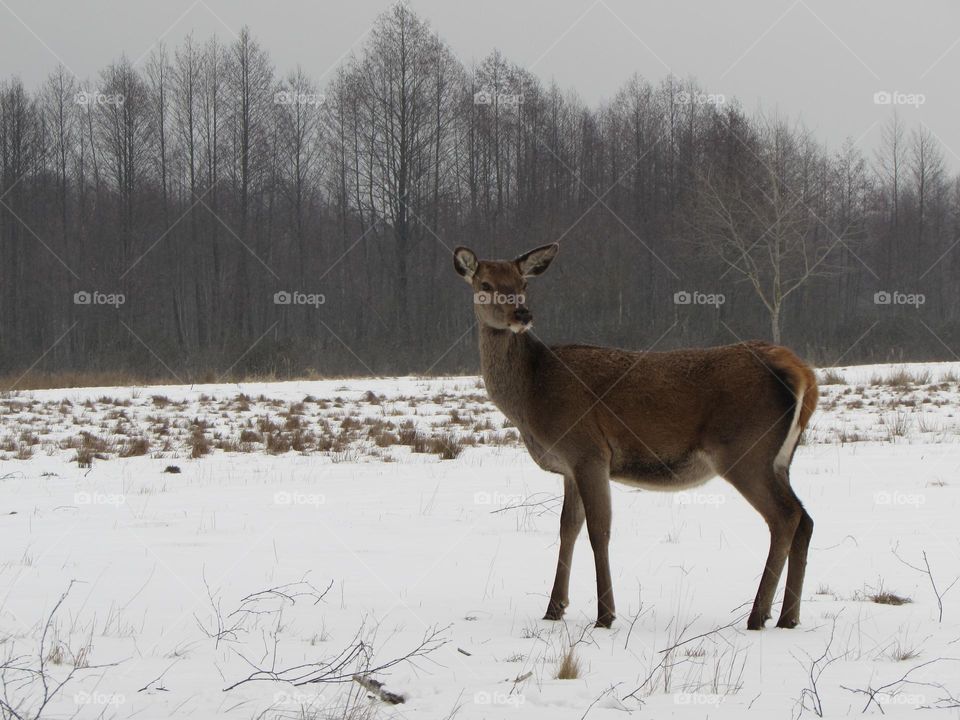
[{"x": 198, "y": 213}]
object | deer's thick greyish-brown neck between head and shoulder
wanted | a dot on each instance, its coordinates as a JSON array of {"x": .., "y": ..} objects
[{"x": 508, "y": 362}]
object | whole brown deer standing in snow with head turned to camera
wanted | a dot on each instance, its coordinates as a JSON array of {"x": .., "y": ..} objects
[{"x": 654, "y": 420}]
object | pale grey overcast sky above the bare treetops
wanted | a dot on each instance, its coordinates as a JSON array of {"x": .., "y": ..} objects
[{"x": 816, "y": 59}]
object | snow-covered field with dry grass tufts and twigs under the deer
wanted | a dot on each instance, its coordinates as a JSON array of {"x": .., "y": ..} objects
[{"x": 303, "y": 537}]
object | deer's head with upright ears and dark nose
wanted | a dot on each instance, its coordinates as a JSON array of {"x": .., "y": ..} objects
[{"x": 500, "y": 286}]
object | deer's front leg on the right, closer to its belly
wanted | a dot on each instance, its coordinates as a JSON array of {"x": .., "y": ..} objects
[{"x": 593, "y": 481}]
